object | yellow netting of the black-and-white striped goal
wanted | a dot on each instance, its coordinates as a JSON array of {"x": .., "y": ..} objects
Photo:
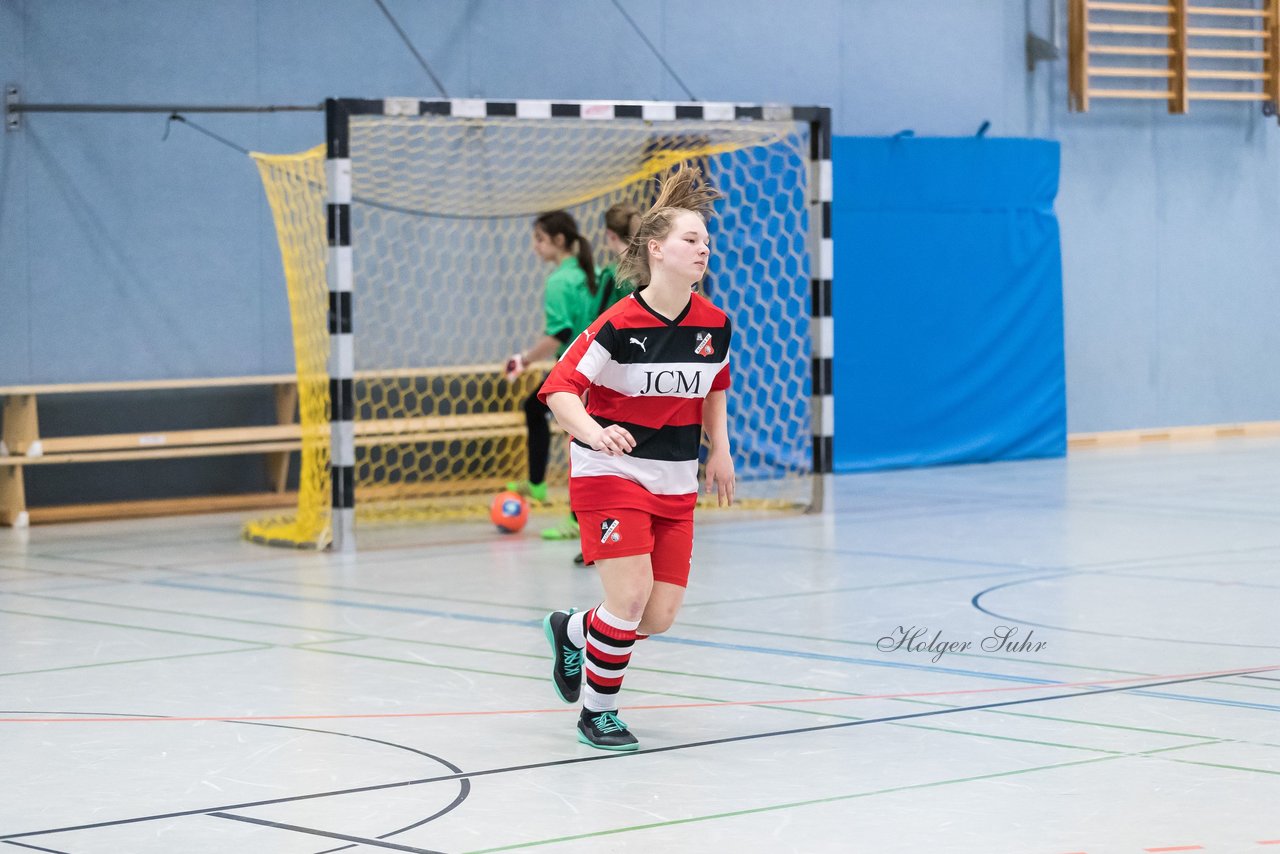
[{"x": 447, "y": 286}]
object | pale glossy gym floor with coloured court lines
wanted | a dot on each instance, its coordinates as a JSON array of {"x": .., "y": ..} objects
[{"x": 1045, "y": 657}]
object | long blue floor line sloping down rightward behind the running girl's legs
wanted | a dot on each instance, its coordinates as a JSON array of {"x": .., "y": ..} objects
[{"x": 691, "y": 642}]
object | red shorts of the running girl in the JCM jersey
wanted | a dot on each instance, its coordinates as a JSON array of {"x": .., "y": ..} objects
[{"x": 625, "y": 533}]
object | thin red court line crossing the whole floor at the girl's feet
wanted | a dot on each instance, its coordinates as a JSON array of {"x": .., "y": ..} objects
[{"x": 653, "y": 707}]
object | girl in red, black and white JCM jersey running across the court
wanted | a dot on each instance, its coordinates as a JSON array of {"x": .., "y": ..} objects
[{"x": 655, "y": 372}]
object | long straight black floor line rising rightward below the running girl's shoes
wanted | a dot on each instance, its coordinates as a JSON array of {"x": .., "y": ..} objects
[{"x": 605, "y": 757}]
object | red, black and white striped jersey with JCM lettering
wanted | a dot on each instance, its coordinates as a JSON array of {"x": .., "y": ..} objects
[{"x": 651, "y": 376}]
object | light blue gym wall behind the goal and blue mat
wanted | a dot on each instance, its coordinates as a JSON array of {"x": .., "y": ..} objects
[{"x": 127, "y": 257}]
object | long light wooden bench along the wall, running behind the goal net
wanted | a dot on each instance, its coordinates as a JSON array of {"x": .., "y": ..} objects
[{"x": 24, "y": 447}]
